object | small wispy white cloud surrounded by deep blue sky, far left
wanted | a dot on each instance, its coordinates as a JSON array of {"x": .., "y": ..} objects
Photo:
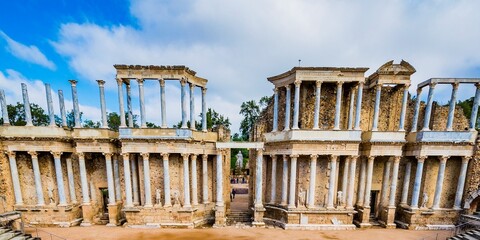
[{"x": 27, "y": 53}]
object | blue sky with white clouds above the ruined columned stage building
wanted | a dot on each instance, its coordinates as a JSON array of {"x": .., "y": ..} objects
[{"x": 236, "y": 45}]
